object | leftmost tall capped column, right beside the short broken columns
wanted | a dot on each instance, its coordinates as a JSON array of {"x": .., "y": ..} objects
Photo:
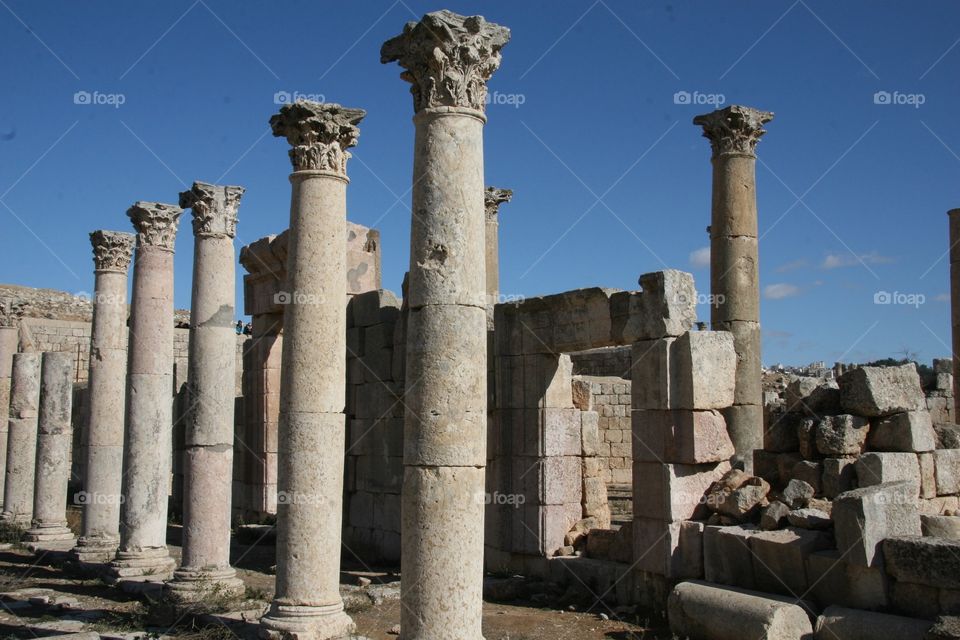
[{"x": 103, "y": 441}]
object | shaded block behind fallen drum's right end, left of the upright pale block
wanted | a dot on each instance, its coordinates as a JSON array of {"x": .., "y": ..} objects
[{"x": 780, "y": 558}]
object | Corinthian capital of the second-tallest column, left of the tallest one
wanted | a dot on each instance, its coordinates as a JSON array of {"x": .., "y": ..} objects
[{"x": 320, "y": 134}]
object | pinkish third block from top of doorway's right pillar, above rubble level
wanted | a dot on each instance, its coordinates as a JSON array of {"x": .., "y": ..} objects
[{"x": 689, "y": 437}]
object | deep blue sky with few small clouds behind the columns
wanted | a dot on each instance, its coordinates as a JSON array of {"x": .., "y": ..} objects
[{"x": 611, "y": 179}]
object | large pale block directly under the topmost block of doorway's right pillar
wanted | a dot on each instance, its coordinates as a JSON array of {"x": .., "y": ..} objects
[{"x": 702, "y": 370}]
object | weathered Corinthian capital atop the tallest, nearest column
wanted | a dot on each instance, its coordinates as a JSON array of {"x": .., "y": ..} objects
[{"x": 448, "y": 58}]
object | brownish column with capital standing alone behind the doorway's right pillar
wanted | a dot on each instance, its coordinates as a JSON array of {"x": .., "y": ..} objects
[{"x": 734, "y": 271}]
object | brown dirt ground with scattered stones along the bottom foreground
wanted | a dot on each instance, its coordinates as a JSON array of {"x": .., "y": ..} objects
[{"x": 37, "y": 598}]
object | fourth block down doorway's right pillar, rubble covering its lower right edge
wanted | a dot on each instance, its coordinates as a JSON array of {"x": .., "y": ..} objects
[{"x": 673, "y": 492}]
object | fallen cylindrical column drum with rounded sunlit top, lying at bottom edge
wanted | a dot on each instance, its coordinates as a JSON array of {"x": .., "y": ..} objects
[{"x": 700, "y": 610}]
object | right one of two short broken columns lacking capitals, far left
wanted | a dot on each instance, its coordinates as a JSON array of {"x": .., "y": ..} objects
[{"x": 49, "y": 531}]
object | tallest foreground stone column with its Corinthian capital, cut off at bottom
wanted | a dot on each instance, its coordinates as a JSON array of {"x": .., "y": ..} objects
[{"x": 448, "y": 58}]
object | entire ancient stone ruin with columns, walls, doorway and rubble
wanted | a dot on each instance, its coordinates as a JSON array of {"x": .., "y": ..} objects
[{"x": 592, "y": 445}]
